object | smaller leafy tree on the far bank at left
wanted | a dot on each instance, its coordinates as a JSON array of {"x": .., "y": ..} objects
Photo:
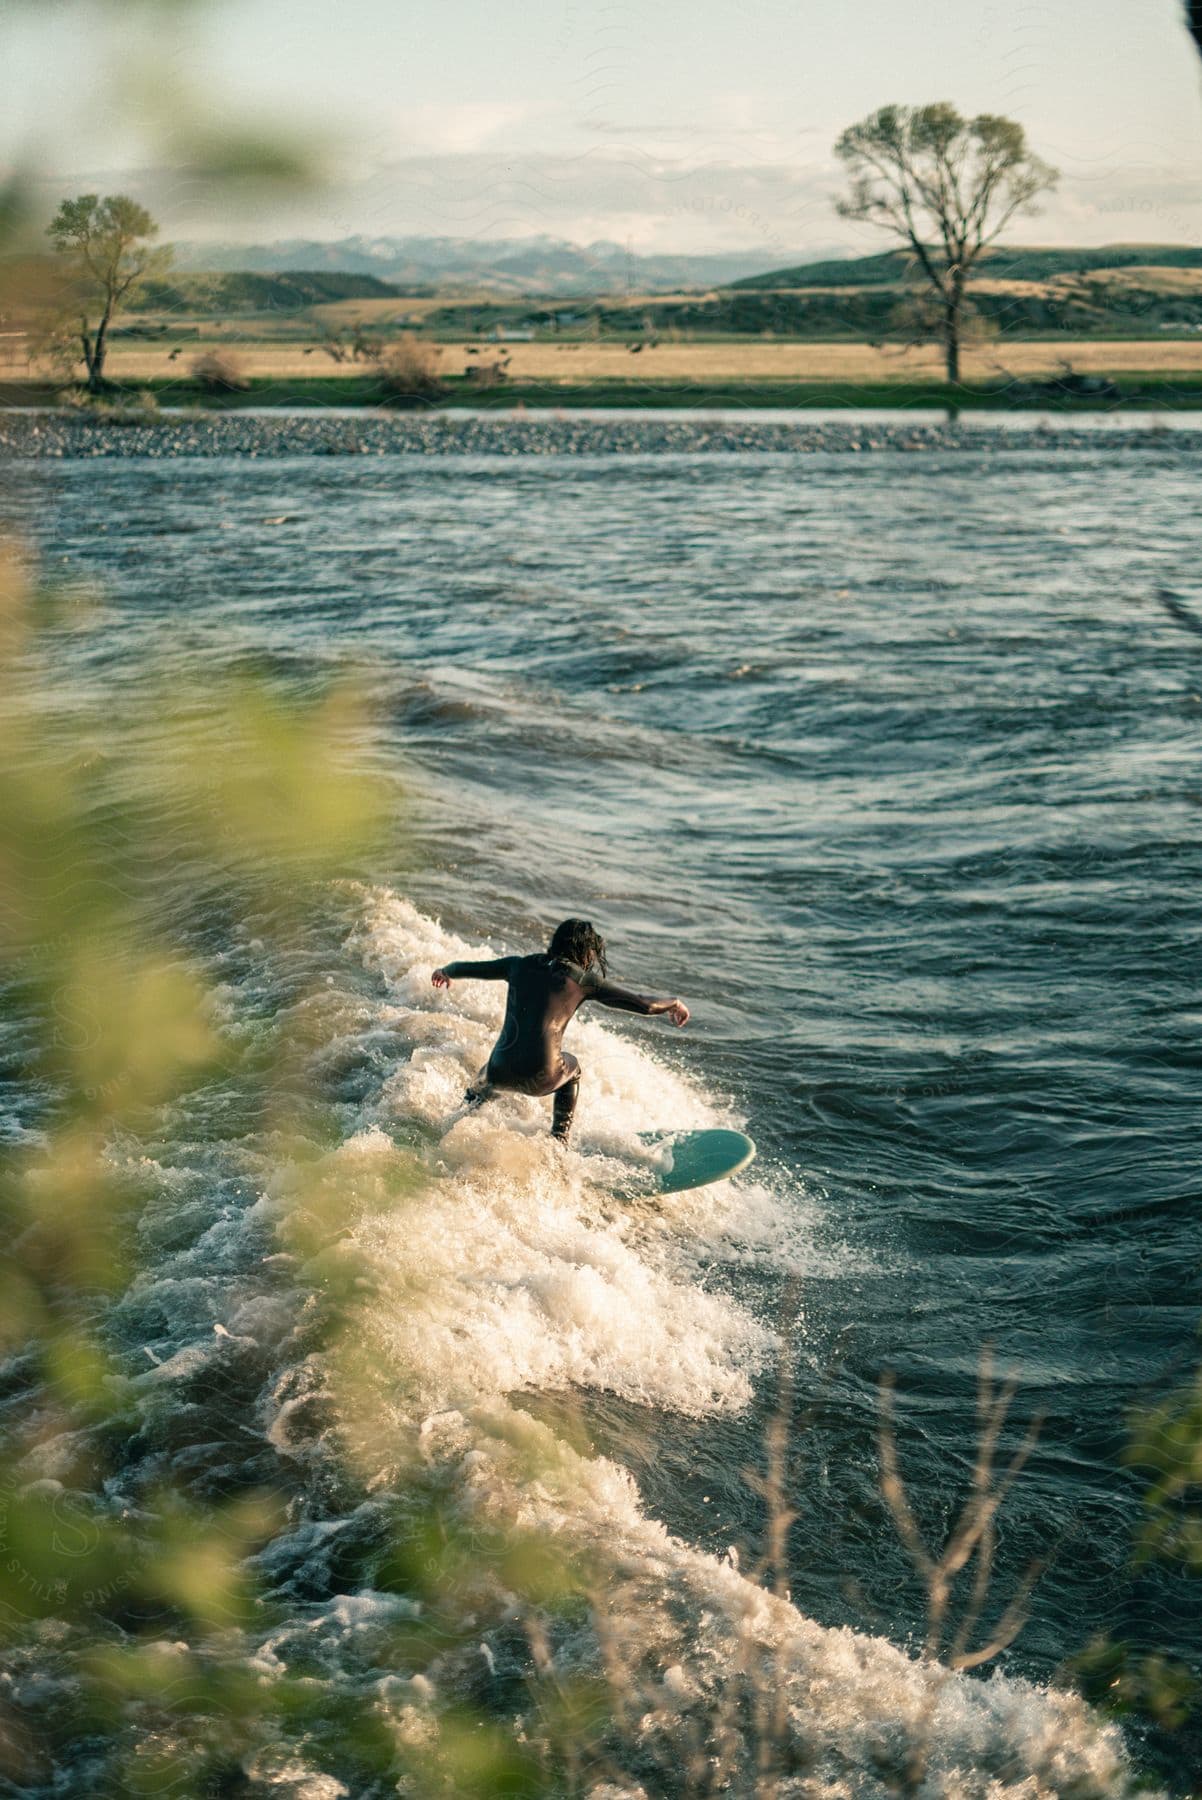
[{"x": 107, "y": 247}]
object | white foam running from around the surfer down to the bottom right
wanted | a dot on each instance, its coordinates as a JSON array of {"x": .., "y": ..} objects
[{"x": 514, "y": 1270}]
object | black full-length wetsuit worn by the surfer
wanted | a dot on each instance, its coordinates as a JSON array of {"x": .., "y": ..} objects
[{"x": 546, "y": 994}]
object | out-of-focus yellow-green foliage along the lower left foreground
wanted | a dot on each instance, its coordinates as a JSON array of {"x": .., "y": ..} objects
[{"x": 111, "y": 822}]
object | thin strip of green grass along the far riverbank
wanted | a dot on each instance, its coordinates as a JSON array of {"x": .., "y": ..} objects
[{"x": 1167, "y": 391}]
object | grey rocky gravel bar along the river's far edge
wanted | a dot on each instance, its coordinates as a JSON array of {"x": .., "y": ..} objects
[{"x": 49, "y": 435}]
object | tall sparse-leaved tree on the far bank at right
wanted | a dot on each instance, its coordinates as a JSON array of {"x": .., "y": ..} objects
[{"x": 947, "y": 188}]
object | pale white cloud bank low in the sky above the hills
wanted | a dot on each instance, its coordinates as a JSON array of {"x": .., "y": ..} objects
[{"x": 625, "y": 193}]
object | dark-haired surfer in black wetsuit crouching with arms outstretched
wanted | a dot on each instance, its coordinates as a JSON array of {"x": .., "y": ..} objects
[{"x": 546, "y": 993}]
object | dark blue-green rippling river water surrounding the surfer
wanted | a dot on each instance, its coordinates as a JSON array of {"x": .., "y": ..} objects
[{"x": 890, "y": 768}]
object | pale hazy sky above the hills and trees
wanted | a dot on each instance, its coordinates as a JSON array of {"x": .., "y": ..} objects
[{"x": 670, "y": 127}]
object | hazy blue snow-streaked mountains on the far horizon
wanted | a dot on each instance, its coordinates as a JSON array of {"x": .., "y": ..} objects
[{"x": 546, "y": 267}]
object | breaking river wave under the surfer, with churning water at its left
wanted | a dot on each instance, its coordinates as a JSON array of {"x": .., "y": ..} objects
[{"x": 496, "y": 1268}]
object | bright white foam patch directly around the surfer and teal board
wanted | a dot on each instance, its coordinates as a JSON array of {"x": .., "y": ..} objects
[{"x": 530, "y": 1275}]
